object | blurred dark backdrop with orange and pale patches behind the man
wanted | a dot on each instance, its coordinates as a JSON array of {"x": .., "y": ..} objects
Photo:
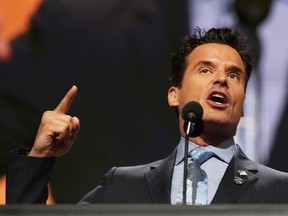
[{"x": 118, "y": 53}]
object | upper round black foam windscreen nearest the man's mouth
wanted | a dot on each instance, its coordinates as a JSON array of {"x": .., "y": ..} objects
[{"x": 192, "y": 107}]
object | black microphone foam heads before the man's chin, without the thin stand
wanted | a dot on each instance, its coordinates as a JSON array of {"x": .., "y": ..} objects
[{"x": 192, "y": 114}]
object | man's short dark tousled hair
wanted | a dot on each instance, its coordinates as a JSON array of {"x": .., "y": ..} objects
[{"x": 227, "y": 36}]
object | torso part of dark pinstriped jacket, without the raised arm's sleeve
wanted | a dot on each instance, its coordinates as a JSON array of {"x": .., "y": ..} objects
[{"x": 151, "y": 183}]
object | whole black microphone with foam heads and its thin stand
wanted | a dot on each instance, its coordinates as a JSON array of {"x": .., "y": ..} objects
[{"x": 192, "y": 113}]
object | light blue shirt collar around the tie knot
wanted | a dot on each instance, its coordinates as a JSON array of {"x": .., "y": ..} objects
[{"x": 224, "y": 150}]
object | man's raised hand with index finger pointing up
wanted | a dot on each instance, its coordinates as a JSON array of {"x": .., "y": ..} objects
[{"x": 57, "y": 131}]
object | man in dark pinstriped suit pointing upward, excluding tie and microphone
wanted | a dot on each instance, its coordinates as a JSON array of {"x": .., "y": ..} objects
[{"x": 212, "y": 68}]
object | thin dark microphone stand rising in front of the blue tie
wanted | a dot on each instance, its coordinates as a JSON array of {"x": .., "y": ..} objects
[{"x": 184, "y": 192}]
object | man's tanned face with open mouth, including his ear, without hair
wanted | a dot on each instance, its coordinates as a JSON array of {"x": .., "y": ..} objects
[{"x": 215, "y": 77}]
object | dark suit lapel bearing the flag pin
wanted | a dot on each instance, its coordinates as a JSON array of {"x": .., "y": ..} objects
[{"x": 235, "y": 180}]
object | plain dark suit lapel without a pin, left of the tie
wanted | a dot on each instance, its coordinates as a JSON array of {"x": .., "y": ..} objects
[{"x": 159, "y": 179}]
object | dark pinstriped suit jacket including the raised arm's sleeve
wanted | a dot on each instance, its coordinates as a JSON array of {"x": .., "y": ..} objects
[{"x": 150, "y": 183}]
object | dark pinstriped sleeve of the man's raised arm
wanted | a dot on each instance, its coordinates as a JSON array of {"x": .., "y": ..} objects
[{"x": 27, "y": 178}]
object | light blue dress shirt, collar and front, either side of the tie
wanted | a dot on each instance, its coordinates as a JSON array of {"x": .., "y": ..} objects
[{"x": 215, "y": 167}]
